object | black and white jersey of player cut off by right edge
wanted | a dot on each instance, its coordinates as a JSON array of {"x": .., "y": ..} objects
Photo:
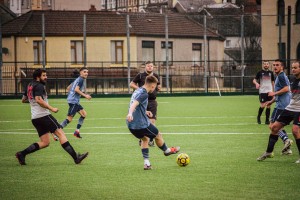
[{"x": 295, "y": 101}]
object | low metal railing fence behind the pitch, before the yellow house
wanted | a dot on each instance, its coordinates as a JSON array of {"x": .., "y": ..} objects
[{"x": 184, "y": 77}]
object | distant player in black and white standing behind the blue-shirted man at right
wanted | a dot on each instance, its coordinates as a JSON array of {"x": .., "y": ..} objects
[{"x": 264, "y": 81}]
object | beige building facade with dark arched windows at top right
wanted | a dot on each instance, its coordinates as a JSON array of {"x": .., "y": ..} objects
[{"x": 280, "y": 37}]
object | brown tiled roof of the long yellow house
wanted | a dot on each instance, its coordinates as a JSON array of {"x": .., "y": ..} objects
[{"x": 99, "y": 23}]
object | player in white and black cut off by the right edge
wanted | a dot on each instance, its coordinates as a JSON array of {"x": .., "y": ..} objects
[{"x": 290, "y": 113}]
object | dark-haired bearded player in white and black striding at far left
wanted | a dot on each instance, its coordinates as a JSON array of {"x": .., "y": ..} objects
[{"x": 43, "y": 121}]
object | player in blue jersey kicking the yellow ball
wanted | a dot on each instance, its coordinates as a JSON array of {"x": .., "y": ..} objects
[{"x": 139, "y": 124}]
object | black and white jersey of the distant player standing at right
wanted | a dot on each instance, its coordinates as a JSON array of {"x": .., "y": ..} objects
[{"x": 265, "y": 79}]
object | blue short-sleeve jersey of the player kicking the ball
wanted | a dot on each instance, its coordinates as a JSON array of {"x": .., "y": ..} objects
[{"x": 140, "y": 119}]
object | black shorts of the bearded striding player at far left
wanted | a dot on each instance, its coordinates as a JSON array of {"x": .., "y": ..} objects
[{"x": 45, "y": 125}]
